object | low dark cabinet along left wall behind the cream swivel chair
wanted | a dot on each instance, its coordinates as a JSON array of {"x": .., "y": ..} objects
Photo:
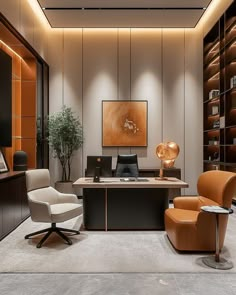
[{"x": 13, "y": 201}]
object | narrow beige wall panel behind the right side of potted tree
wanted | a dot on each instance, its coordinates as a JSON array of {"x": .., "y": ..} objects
[{"x": 73, "y": 86}]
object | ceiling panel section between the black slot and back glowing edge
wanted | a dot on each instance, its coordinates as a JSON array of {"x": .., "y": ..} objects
[{"x": 123, "y": 19}]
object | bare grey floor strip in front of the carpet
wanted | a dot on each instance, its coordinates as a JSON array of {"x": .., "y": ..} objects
[{"x": 118, "y": 284}]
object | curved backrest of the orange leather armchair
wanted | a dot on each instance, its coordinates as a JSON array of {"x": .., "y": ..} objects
[{"x": 218, "y": 186}]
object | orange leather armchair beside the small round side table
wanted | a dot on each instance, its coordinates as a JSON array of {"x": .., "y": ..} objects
[{"x": 190, "y": 229}]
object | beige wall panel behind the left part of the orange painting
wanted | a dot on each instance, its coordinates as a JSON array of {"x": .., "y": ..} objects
[{"x": 99, "y": 83}]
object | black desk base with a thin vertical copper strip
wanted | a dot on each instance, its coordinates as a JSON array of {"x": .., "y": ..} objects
[{"x": 124, "y": 208}]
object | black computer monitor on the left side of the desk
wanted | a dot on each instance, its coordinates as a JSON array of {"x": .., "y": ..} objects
[{"x": 103, "y": 162}]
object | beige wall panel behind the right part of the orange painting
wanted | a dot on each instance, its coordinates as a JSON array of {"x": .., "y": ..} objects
[{"x": 146, "y": 84}]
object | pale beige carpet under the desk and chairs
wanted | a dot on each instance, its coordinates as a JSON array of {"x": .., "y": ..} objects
[{"x": 103, "y": 252}]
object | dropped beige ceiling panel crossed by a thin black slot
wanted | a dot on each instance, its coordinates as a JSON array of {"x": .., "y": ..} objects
[{"x": 123, "y": 13}]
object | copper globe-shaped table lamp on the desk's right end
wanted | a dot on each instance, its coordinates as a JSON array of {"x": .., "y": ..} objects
[{"x": 167, "y": 152}]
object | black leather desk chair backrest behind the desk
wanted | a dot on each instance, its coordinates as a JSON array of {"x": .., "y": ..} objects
[{"x": 127, "y": 166}]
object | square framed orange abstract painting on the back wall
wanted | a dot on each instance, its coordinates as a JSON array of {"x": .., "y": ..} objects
[{"x": 124, "y": 123}]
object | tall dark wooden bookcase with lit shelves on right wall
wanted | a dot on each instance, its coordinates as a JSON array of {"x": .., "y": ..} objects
[{"x": 219, "y": 103}]
